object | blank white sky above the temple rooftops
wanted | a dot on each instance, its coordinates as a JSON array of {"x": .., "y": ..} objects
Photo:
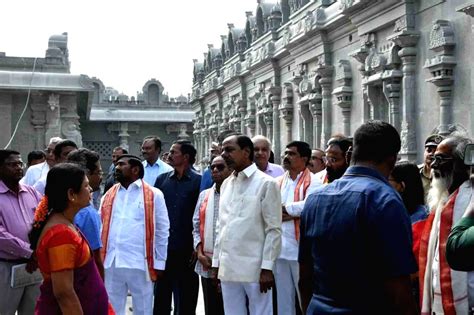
[{"x": 123, "y": 43}]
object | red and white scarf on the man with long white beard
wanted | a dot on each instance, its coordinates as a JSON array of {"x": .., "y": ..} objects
[{"x": 453, "y": 284}]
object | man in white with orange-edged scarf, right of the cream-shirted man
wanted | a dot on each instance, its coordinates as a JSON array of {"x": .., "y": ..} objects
[{"x": 295, "y": 185}]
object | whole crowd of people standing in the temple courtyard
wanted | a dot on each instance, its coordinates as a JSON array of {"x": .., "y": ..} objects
[{"x": 348, "y": 229}]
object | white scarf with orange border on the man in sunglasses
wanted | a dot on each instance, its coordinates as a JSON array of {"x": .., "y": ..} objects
[{"x": 206, "y": 222}]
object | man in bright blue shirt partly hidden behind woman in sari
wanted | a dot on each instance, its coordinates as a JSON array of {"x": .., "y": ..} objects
[{"x": 88, "y": 219}]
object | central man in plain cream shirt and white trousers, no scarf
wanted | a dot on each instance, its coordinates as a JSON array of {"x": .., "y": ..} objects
[{"x": 249, "y": 231}]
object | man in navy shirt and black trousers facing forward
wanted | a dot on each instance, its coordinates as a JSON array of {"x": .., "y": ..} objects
[{"x": 180, "y": 188}]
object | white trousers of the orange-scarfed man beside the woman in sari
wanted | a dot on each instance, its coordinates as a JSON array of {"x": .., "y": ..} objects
[{"x": 118, "y": 281}]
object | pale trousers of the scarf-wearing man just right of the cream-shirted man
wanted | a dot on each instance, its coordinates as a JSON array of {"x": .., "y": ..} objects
[{"x": 286, "y": 280}]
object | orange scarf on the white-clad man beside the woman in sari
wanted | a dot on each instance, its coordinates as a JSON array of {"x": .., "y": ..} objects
[{"x": 106, "y": 214}]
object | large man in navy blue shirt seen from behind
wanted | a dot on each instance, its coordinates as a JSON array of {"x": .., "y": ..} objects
[{"x": 355, "y": 248}]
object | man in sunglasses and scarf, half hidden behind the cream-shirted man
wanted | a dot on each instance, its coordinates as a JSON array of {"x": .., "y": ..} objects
[{"x": 205, "y": 218}]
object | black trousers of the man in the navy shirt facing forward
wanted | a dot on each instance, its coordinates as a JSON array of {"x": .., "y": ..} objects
[{"x": 181, "y": 281}]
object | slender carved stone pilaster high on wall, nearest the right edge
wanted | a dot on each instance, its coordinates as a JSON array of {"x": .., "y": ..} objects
[{"x": 441, "y": 67}]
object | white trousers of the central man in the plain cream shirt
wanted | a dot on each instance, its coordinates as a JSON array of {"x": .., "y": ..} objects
[{"x": 233, "y": 294}]
